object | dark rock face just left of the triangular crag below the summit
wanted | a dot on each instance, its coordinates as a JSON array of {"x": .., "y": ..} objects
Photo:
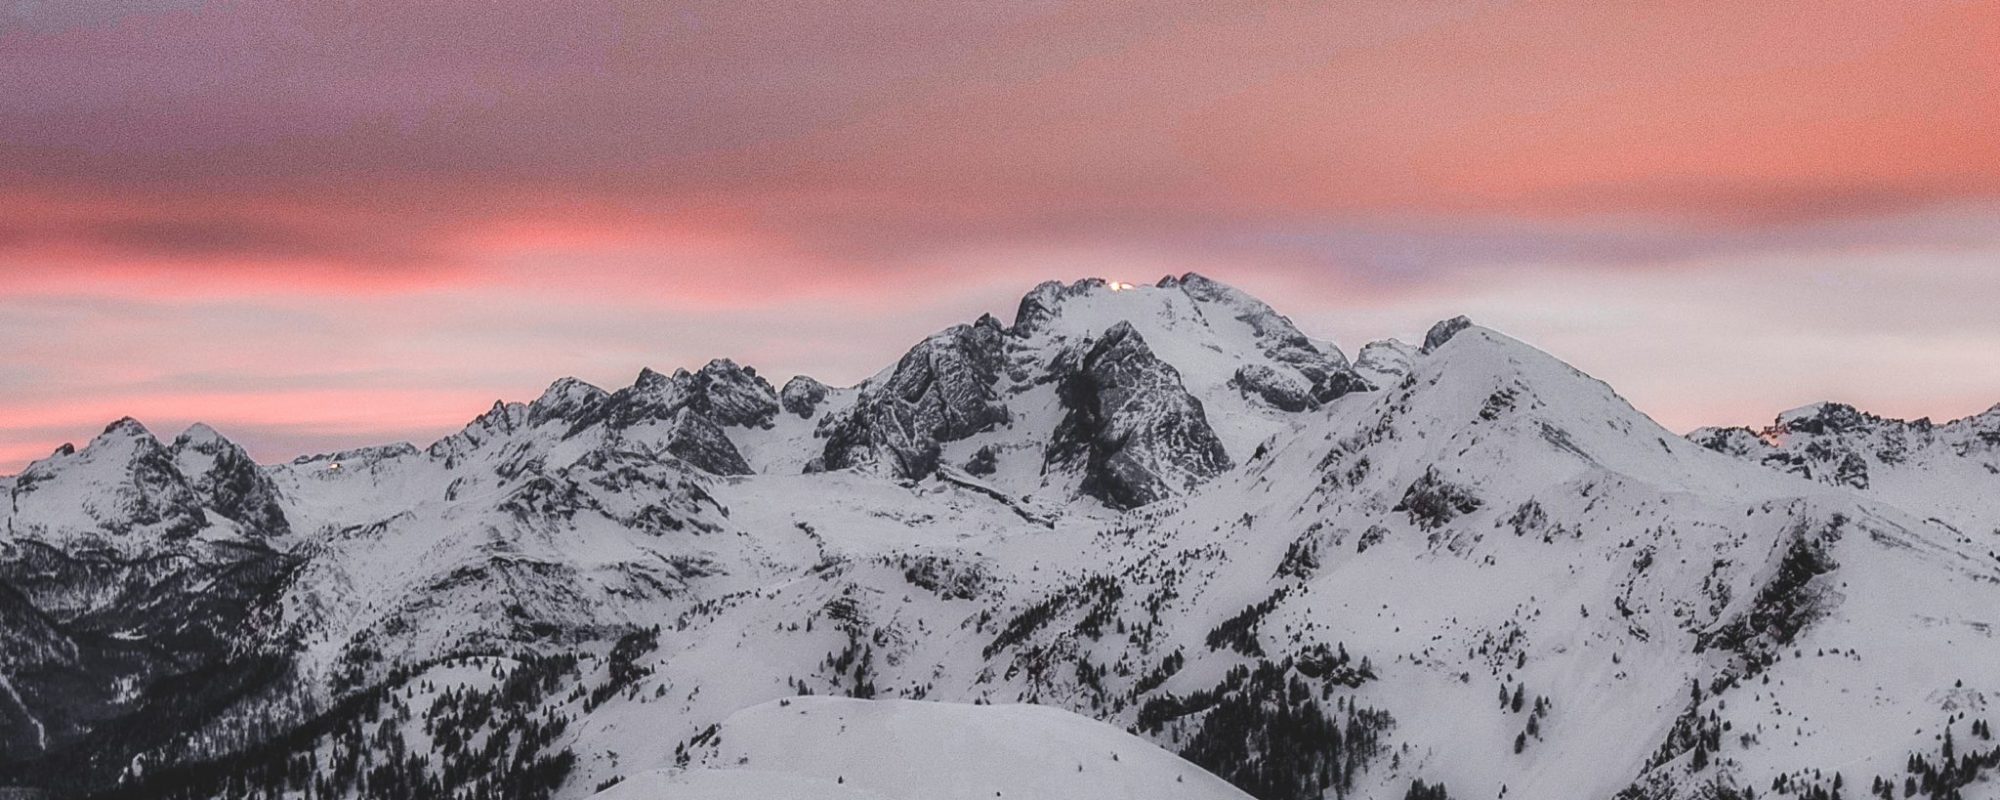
[{"x": 941, "y": 391}]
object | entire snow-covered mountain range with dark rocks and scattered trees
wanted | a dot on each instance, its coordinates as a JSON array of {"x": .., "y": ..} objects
[{"x": 1459, "y": 569}]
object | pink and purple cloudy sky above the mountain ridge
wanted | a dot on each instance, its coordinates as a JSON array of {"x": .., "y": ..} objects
[{"x": 337, "y": 225}]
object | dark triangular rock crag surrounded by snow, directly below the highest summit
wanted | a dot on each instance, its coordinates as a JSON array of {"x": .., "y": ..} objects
[{"x": 1131, "y": 427}]
